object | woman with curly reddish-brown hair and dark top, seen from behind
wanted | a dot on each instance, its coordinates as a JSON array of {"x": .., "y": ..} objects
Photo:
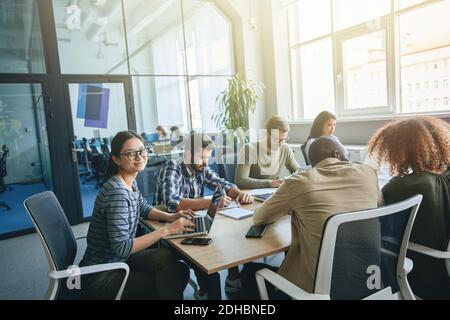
[{"x": 417, "y": 152}]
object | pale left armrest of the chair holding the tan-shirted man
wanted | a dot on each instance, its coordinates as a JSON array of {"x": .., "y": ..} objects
[{"x": 285, "y": 286}]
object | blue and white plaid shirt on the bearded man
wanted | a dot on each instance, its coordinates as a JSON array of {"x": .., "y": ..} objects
[{"x": 176, "y": 181}]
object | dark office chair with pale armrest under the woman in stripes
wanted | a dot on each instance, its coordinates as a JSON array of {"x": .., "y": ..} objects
[{"x": 60, "y": 247}]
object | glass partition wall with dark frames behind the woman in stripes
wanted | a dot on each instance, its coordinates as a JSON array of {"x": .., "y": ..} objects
[{"x": 102, "y": 67}]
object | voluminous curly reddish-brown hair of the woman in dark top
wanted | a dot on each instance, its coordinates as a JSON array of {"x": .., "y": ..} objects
[{"x": 413, "y": 144}]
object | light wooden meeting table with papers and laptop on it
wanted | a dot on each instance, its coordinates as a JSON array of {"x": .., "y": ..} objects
[{"x": 230, "y": 248}]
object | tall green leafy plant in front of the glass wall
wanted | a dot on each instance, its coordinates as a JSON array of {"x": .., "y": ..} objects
[{"x": 235, "y": 103}]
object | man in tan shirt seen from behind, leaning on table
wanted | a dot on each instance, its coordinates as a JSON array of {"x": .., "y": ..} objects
[{"x": 333, "y": 185}]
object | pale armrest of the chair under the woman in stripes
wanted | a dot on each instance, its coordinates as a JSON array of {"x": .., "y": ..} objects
[{"x": 57, "y": 275}]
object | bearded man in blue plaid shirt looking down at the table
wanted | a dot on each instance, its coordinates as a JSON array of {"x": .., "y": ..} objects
[{"x": 180, "y": 186}]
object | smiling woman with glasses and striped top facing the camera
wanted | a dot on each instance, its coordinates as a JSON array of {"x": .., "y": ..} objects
[{"x": 154, "y": 273}]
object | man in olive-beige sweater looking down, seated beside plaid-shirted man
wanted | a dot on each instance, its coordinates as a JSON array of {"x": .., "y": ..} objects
[{"x": 260, "y": 163}]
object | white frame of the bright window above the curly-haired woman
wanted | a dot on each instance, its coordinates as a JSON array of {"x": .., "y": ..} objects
[{"x": 390, "y": 24}]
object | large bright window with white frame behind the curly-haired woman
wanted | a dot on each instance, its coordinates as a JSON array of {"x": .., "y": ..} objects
[{"x": 369, "y": 57}]
